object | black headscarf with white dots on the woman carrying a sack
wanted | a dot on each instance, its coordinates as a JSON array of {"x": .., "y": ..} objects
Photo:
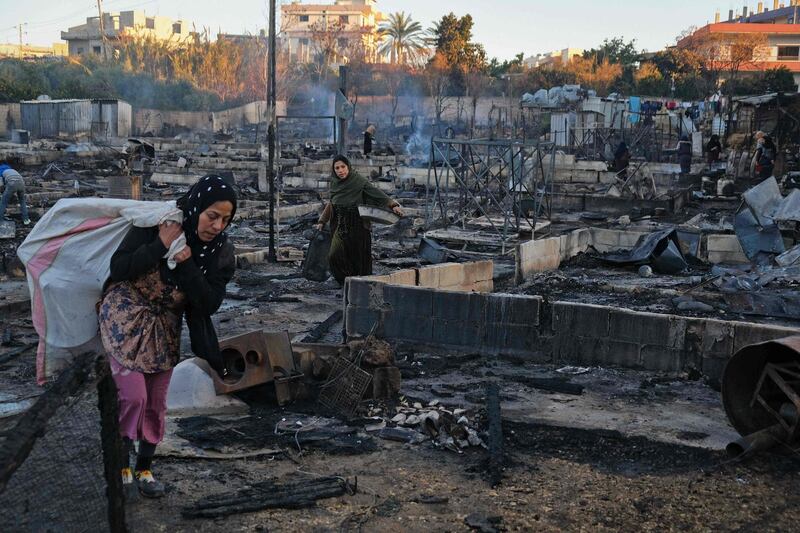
[{"x": 203, "y": 194}]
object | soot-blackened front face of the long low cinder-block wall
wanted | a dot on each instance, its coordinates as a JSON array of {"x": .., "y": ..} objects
[{"x": 555, "y": 332}]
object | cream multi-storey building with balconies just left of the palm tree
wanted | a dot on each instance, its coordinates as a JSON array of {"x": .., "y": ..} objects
[{"x": 348, "y": 26}]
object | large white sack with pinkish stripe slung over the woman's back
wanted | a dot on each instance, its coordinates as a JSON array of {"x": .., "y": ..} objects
[{"x": 67, "y": 257}]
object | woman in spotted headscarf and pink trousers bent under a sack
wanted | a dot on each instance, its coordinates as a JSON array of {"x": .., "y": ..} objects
[{"x": 142, "y": 308}]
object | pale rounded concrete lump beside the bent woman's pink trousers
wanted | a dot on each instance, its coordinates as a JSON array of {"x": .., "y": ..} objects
[{"x": 191, "y": 392}]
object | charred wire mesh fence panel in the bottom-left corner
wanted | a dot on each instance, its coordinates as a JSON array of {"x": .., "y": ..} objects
[{"x": 60, "y": 462}]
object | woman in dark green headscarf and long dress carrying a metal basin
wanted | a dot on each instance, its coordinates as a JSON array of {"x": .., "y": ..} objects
[{"x": 351, "y": 247}]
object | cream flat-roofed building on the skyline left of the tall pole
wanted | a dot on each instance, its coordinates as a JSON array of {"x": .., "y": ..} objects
[{"x": 87, "y": 39}]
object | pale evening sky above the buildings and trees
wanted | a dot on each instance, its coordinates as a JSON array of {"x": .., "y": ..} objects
[{"x": 504, "y": 27}]
